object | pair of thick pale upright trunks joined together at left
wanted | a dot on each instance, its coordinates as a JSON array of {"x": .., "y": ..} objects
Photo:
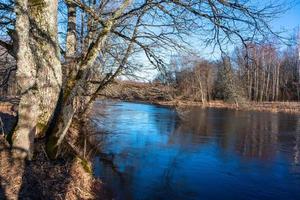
[{"x": 39, "y": 73}]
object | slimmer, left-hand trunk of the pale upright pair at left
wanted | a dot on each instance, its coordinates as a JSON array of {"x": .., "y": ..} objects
[{"x": 25, "y": 130}]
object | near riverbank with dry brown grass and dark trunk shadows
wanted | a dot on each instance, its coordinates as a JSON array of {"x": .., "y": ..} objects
[{"x": 69, "y": 177}]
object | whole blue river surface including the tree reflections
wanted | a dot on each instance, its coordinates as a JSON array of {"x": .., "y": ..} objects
[{"x": 213, "y": 154}]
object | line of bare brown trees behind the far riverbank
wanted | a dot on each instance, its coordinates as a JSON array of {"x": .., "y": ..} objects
[{"x": 257, "y": 73}]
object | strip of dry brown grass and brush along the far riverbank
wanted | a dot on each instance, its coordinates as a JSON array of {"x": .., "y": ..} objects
[{"x": 165, "y": 95}]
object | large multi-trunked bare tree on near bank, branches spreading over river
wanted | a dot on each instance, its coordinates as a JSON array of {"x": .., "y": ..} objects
[{"x": 107, "y": 36}]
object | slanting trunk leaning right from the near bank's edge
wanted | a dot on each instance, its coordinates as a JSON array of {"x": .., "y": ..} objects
[{"x": 75, "y": 89}]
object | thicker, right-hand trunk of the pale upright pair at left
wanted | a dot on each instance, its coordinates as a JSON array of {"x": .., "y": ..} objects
[{"x": 44, "y": 42}]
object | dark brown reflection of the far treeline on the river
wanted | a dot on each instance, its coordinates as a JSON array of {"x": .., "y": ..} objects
[{"x": 251, "y": 134}]
